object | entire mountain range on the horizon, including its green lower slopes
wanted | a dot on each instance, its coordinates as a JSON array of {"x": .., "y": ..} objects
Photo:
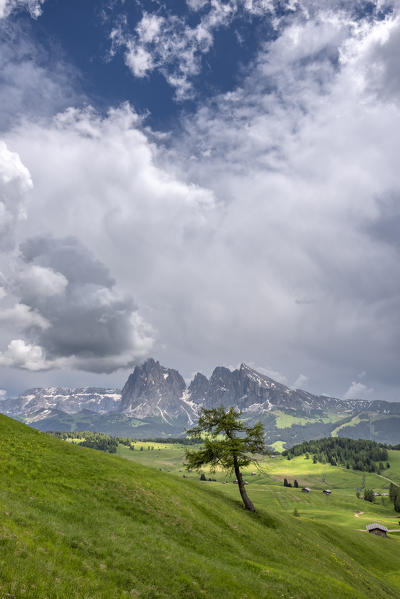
[{"x": 156, "y": 402}]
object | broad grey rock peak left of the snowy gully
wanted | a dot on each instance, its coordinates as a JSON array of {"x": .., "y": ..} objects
[{"x": 152, "y": 390}]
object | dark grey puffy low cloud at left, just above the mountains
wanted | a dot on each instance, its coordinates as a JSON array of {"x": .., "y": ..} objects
[{"x": 72, "y": 311}]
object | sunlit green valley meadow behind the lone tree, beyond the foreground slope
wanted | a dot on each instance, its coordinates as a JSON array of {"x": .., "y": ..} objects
[{"x": 265, "y": 485}]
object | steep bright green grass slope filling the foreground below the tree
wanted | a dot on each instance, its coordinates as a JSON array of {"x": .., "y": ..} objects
[{"x": 78, "y": 523}]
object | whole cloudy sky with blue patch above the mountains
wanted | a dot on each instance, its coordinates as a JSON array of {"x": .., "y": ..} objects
[{"x": 204, "y": 182}]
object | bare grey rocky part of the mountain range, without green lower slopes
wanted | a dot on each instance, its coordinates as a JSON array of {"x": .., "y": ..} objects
[{"x": 153, "y": 391}]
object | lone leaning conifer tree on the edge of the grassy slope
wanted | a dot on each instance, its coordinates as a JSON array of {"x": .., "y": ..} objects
[{"x": 228, "y": 443}]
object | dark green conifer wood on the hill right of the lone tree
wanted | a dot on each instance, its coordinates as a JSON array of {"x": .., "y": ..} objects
[{"x": 357, "y": 454}]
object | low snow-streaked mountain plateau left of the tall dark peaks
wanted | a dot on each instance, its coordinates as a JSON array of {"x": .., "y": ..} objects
[{"x": 70, "y": 401}]
